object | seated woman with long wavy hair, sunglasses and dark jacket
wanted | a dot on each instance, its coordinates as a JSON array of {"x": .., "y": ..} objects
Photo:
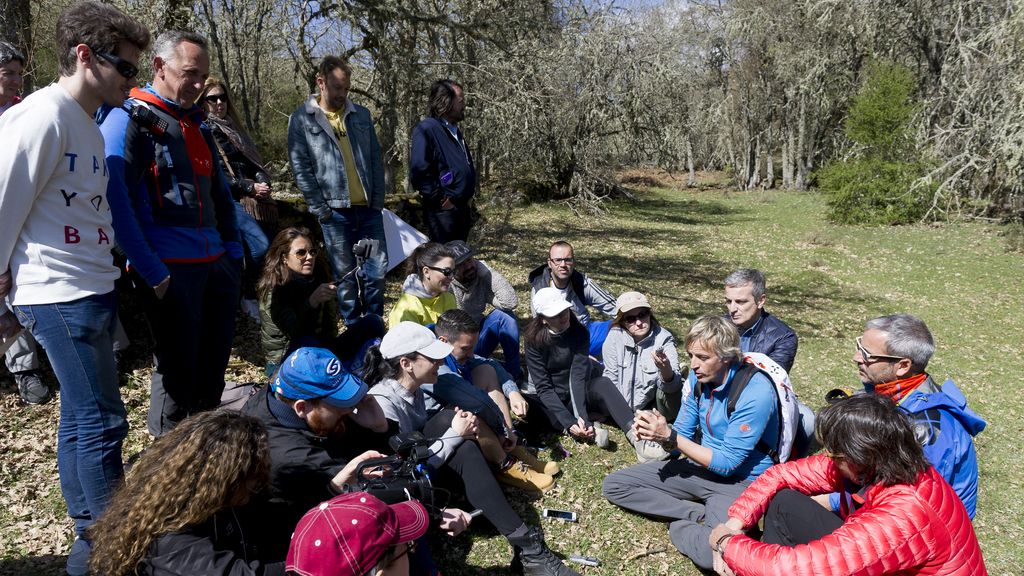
[{"x": 300, "y": 309}]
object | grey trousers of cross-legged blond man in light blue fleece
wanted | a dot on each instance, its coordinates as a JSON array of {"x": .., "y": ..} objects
[{"x": 694, "y": 500}]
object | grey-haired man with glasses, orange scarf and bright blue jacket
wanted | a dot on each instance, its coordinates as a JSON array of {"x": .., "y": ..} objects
[{"x": 891, "y": 357}]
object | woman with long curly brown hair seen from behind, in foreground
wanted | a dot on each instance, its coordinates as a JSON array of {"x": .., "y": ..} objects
[{"x": 179, "y": 511}]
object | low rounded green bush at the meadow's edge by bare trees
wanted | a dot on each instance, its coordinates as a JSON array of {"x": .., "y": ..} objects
[{"x": 875, "y": 192}]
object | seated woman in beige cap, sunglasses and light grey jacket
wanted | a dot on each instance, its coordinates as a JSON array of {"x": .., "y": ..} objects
[{"x": 641, "y": 358}]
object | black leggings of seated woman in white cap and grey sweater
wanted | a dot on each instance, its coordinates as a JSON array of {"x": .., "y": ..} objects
[{"x": 468, "y": 473}]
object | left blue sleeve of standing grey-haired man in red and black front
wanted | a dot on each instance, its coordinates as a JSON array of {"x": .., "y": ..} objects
[{"x": 126, "y": 160}]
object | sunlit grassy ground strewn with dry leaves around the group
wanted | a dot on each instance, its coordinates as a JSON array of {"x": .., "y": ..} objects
[{"x": 676, "y": 246}]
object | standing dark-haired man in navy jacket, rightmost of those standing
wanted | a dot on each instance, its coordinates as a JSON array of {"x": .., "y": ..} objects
[{"x": 441, "y": 168}]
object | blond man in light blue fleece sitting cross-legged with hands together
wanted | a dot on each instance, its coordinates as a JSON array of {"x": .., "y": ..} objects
[{"x": 722, "y": 449}]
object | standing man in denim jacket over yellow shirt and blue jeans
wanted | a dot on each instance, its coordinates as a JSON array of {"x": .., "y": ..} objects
[{"x": 337, "y": 163}]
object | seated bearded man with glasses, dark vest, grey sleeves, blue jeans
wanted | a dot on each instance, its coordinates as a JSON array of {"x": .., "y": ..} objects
[{"x": 578, "y": 289}]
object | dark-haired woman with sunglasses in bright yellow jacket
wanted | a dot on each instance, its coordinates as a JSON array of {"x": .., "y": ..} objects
[{"x": 426, "y": 294}]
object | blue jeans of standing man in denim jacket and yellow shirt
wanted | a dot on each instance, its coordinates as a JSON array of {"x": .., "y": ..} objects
[{"x": 342, "y": 231}]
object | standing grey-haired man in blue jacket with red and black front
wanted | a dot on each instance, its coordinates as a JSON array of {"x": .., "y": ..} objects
[{"x": 175, "y": 218}]
